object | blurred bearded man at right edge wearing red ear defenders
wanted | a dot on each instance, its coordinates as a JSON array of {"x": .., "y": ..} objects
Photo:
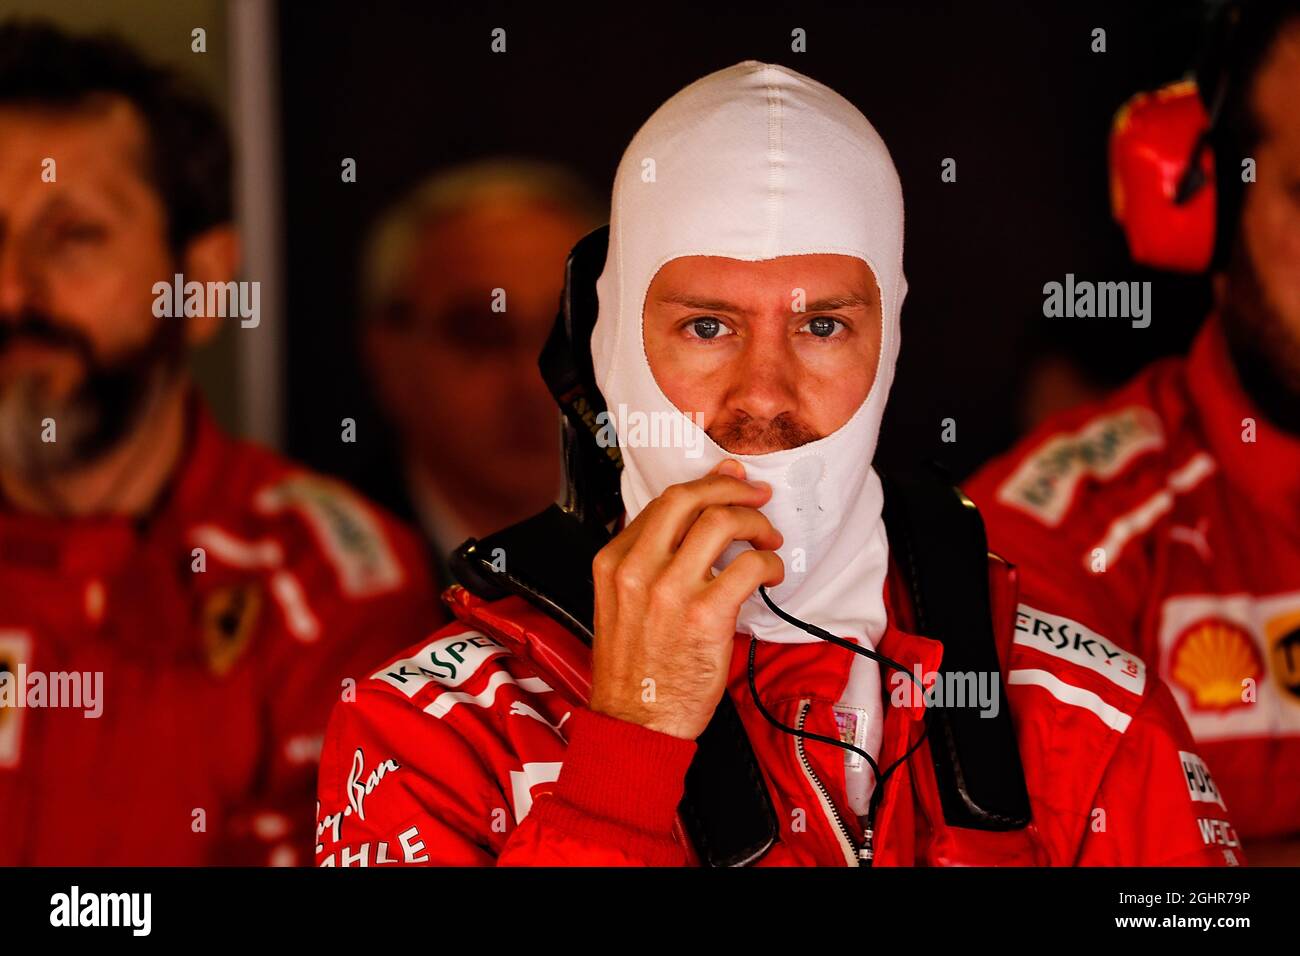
[{"x": 1168, "y": 516}]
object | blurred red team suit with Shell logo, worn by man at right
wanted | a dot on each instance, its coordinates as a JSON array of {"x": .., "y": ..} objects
[{"x": 1168, "y": 518}]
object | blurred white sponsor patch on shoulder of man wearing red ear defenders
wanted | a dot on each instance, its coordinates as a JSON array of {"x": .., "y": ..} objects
[{"x": 1045, "y": 483}]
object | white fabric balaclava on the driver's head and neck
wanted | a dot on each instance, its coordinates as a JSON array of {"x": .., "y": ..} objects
[{"x": 753, "y": 163}]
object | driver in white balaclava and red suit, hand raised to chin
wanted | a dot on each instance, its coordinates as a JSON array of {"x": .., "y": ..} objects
[{"x": 744, "y": 347}]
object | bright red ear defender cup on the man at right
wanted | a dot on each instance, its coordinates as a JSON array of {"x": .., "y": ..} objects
[{"x": 1163, "y": 179}]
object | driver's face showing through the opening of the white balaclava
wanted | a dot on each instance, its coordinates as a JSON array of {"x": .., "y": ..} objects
[{"x": 773, "y": 354}]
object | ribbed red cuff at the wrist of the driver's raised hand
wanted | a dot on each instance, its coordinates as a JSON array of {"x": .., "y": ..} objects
[{"x": 623, "y": 773}]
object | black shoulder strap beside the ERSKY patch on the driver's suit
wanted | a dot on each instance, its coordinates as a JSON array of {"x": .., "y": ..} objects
[{"x": 939, "y": 546}]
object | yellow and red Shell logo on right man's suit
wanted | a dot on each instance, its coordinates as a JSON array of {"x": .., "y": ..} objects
[{"x": 1211, "y": 660}]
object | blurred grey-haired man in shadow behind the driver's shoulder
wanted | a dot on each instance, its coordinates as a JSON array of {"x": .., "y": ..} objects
[{"x": 462, "y": 280}]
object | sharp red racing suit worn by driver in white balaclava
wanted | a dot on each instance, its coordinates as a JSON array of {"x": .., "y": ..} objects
[{"x": 475, "y": 749}]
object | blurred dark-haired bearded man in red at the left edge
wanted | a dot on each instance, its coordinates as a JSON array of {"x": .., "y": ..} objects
[{"x": 179, "y": 611}]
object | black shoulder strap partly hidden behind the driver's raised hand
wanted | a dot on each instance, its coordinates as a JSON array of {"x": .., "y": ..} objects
[{"x": 548, "y": 561}]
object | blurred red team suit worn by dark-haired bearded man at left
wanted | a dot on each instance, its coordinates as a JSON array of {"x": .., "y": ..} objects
[{"x": 194, "y": 659}]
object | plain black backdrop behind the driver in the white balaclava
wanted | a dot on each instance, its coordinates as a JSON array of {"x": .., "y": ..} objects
[{"x": 1012, "y": 92}]
